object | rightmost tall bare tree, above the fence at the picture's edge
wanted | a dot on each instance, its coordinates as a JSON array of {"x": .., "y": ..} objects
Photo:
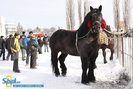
[{"x": 127, "y": 13}]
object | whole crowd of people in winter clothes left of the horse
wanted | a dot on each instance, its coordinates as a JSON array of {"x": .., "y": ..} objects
[{"x": 29, "y": 46}]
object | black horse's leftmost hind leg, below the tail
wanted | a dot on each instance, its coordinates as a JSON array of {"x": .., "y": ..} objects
[{"x": 54, "y": 62}]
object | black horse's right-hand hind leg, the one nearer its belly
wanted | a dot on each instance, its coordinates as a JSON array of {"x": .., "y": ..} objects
[{"x": 62, "y": 64}]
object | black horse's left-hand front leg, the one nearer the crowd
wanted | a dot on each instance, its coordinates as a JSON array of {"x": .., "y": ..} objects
[{"x": 84, "y": 70}]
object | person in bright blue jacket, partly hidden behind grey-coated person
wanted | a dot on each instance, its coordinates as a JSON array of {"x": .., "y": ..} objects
[{"x": 26, "y": 40}]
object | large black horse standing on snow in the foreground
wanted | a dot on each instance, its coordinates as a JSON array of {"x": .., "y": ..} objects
[{"x": 84, "y": 43}]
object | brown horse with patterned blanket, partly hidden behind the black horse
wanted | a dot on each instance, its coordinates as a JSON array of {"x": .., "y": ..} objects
[{"x": 109, "y": 46}]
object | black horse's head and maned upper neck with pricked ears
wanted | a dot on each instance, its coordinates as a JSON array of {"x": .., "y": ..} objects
[{"x": 92, "y": 22}]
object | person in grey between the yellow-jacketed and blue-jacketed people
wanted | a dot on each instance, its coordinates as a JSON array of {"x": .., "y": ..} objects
[{"x": 23, "y": 49}]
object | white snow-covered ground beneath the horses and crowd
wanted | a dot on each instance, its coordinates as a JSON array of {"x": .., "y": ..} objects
[{"x": 107, "y": 75}]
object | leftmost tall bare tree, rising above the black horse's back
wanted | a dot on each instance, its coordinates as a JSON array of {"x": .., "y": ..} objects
[{"x": 70, "y": 14}]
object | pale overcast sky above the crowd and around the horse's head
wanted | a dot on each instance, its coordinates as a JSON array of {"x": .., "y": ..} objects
[{"x": 45, "y": 13}]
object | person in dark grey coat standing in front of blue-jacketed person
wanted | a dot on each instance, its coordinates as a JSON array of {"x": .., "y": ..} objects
[{"x": 32, "y": 47}]
